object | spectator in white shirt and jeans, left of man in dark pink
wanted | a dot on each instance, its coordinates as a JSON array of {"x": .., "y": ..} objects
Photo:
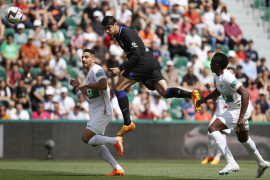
[{"x": 216, "y": 33}]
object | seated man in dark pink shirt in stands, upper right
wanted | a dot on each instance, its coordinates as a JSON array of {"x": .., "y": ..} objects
[{"x": 234, "y": 33}]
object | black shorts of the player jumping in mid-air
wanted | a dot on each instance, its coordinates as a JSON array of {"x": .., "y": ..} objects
[{"x": 145, "y": 74}]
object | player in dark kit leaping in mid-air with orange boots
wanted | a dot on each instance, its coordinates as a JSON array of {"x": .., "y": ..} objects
[{"x": 140, "y": 67}]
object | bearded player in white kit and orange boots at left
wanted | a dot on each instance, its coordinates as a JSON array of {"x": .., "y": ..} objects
[{"x": 97, "y": 91}]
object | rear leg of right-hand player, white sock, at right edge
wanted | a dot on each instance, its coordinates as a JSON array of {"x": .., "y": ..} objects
[{"x": 250, "y": 146}]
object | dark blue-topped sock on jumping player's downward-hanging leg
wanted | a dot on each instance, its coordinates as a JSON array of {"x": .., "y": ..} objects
[{"x": 124, "y": 106}]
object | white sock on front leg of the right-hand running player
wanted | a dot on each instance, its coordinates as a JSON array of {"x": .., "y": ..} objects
[{"x": 223, "y": 147}]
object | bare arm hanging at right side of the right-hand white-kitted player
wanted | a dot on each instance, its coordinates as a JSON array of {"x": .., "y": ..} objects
[{"x": 244, "y": 105}]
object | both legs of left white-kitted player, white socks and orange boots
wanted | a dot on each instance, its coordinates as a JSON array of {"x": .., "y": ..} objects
[{"x": 98, "y": 142}]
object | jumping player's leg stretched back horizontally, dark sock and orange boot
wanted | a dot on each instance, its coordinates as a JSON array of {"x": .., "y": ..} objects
[{"x": 162, "y": 88}]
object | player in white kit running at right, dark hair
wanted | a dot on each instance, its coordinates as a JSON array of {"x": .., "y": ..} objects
[{"x": 235, "y": 118}]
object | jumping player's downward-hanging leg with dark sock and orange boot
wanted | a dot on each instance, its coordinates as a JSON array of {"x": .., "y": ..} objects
[{"x": 122, "y": 84}]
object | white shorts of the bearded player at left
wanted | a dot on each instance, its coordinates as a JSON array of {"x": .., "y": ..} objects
[{"x": 98, "y": 123}]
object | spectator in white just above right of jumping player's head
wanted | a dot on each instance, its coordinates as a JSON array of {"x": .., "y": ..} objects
[{"x": 123, "y": 16}]
